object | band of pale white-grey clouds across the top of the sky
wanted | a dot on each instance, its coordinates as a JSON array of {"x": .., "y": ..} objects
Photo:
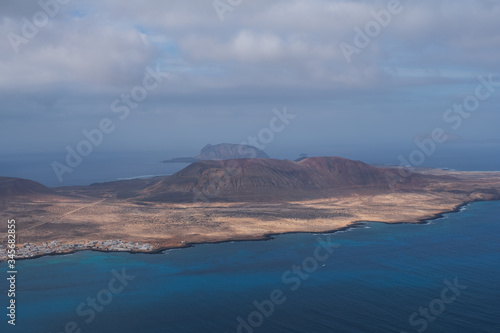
[{"x": 279, "y": 43}]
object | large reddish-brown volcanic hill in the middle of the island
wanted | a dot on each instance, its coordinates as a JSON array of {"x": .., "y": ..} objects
[{"x": 272, "y": 180}]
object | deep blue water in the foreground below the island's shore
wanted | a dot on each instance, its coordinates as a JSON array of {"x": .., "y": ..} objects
[{"x": 372, "y": 282}]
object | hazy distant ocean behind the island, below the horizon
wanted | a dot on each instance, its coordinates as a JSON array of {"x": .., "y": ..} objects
[{"x": 103, "y": 166}]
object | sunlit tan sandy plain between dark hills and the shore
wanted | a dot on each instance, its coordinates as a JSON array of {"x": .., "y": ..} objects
[{"x": 81, "y": 216}]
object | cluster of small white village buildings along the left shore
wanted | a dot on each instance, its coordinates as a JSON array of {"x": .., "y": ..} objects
[{"x": 29, "y": 250}]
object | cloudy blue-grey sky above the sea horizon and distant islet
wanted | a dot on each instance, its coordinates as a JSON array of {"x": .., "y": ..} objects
[{"x": 296, "y": 75}]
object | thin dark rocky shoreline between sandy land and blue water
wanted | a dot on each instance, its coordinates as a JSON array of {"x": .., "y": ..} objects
[{"x": 264, "y": 237}]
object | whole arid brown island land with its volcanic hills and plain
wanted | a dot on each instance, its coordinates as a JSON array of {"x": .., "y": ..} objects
[{"x": 212, "y": 209}]
